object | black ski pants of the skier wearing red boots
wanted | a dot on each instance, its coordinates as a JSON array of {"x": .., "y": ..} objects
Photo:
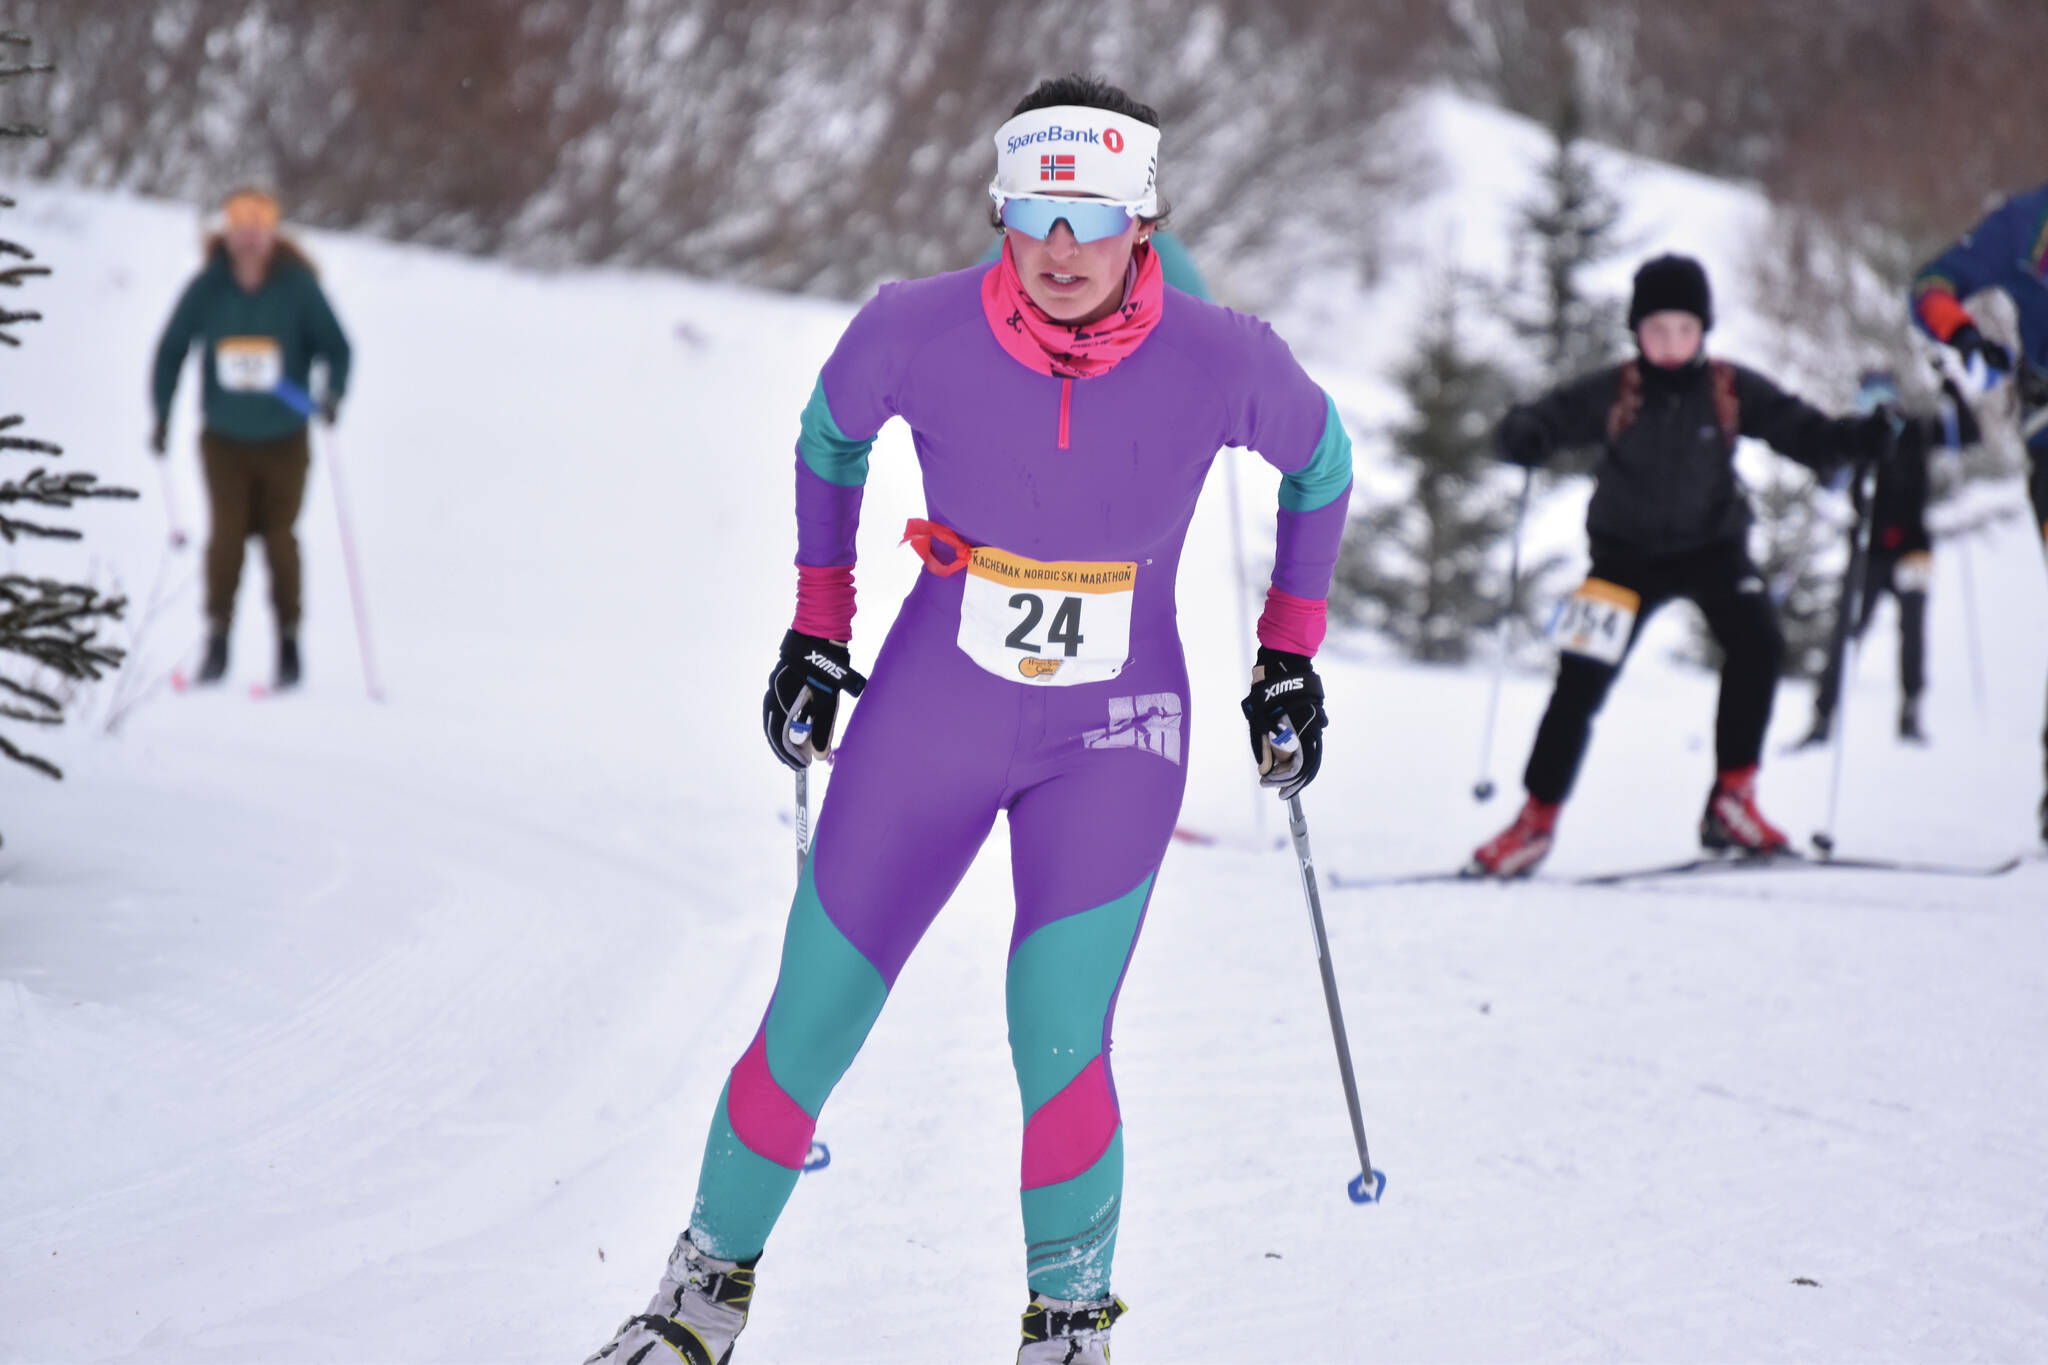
[{"x": 1730, "y": 592}]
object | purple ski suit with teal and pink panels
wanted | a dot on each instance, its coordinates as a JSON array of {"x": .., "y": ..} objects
[{"x": 1091, "y": 773}]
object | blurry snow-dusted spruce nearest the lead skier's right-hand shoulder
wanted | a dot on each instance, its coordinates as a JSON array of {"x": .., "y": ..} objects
[{"x": 1428, "y": 570}]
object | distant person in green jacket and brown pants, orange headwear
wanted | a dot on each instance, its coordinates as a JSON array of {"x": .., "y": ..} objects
[{"x": 263, "y": 320}]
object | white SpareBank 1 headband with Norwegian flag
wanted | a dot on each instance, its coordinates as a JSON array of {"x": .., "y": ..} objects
[{"x": 1078, "y": 150}]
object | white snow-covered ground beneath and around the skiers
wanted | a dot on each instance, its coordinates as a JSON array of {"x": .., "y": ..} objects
[{"x": 349, "y": 1032}]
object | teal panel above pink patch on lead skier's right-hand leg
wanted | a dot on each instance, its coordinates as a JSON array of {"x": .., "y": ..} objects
[{"x": 1062, "y": 981}]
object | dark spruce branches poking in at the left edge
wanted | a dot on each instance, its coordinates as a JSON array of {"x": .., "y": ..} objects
[{"x": 48, "y": 627}]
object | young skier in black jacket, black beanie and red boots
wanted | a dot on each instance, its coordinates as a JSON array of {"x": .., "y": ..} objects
[{"x": 1670, "y": 519}]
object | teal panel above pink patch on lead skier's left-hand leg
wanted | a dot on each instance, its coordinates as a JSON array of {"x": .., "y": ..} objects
[{"x": 824, "y": 1004}]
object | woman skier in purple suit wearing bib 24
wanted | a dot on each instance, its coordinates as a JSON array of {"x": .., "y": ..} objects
[{"x": 1066, "y": 408}]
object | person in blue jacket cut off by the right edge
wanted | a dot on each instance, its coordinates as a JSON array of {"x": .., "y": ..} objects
[{"x": 2006, "y": 251}]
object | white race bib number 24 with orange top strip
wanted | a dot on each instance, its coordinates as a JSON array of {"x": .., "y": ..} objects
[{"x": 1054, "y": 625}]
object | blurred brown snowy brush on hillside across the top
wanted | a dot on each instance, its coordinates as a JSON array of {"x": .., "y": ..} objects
[{"x": 820, "y": 146}]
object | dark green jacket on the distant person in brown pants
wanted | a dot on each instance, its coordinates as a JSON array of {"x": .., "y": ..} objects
[{"x": 253, "y": 341}]
